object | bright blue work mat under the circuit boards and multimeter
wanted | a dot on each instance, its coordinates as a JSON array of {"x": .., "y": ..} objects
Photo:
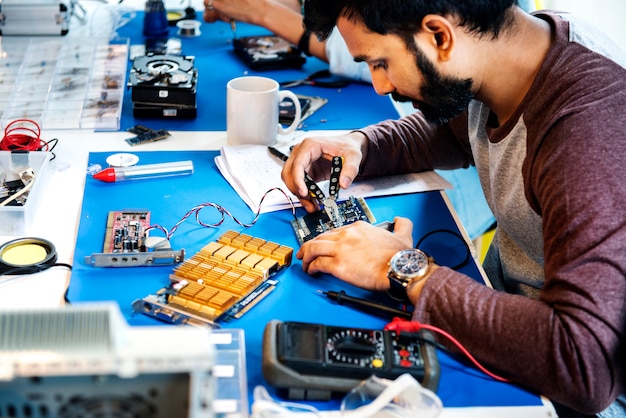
[{"x": 296, "y": 297}]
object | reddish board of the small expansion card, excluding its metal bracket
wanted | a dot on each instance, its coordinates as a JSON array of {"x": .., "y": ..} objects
[{"x": 125, "y": 231}]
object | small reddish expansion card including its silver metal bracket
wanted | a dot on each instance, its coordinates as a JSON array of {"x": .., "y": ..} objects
[{"x": 126, "y": 243}]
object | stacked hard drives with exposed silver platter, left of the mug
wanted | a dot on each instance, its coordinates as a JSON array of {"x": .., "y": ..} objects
[{"x": 164, "y": 86}]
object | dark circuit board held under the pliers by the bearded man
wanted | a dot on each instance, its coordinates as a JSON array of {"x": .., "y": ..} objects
[{"x": 313, "y": 224}]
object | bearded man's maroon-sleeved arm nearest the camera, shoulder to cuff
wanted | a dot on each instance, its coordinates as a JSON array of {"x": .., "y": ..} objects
[{"x": 567, "y": 344}]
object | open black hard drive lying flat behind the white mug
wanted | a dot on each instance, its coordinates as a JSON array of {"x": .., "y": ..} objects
[{"x": 267, "y": 52}]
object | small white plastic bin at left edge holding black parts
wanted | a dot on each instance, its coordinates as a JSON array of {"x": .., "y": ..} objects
[{"x": 15, "y": 220}]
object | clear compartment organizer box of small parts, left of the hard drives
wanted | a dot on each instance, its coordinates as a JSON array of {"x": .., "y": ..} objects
[{"x": 63, "y": 83}]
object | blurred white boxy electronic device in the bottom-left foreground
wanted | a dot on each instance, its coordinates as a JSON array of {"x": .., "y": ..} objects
[{"x": 84, "y": 360}]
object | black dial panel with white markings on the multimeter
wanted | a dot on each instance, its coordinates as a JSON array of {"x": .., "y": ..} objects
[{"x": 355, "y": 347}]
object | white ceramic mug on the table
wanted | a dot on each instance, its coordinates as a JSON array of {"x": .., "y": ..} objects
[{"x": 252, "y": 111}]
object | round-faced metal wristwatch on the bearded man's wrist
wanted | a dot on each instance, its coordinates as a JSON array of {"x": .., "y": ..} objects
[{"x": 405, "y": 268}]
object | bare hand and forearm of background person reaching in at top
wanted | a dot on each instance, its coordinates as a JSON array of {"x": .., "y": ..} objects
[{"x": 281, "y": 18}]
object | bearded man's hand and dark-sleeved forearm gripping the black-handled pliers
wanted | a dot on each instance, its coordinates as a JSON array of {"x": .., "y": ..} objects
[{"x": 408, "y": 145}]
